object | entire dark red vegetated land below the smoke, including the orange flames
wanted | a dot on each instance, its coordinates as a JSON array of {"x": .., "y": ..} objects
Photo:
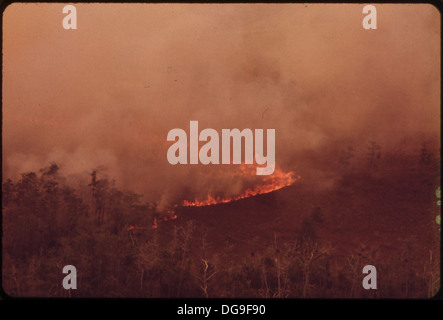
[{"x": 215, "y": 251}]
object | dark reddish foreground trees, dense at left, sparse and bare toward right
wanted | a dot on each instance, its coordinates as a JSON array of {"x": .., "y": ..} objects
[{"x": 107, "y": 235}]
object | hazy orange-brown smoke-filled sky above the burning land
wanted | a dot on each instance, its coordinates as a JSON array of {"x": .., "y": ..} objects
[{"x": 108, "y": 92}]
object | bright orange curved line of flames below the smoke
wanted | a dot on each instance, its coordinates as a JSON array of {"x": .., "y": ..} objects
[{"x": 276, "y": 181}]
